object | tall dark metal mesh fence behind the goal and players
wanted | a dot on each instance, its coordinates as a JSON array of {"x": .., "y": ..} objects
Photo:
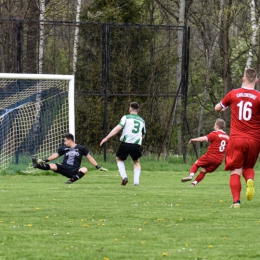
[{"x": 116, "y": 64}]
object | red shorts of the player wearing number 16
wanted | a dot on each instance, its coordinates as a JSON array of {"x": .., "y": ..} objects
[{"x": 241, "y": 153}]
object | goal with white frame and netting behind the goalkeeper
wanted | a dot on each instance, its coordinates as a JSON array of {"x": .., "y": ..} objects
[{"x": 35, "y": 111}]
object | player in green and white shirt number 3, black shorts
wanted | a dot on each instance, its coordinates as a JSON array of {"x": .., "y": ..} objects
[{"x": 131, "y": 139}]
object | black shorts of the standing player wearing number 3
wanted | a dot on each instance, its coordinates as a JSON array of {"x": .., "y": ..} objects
[{"x": 125, "y": 149}]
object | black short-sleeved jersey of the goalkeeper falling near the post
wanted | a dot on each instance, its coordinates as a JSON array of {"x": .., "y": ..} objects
[{"x": 73, "y": 155}]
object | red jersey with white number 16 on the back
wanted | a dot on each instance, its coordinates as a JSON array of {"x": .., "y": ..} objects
[{"x": 245, "y": 112}]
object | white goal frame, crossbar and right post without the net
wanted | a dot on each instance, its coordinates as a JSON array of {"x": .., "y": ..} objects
[{"x": 70, "y": 78}]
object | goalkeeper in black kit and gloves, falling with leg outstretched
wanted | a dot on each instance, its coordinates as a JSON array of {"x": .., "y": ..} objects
[{"x": 70, "y": 166}]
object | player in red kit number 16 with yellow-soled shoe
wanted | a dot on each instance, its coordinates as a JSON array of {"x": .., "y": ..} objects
[{"x": 244, "y": 145}]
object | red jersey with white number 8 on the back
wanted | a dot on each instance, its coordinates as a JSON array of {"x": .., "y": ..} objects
[{"x": 218, "y": 143}]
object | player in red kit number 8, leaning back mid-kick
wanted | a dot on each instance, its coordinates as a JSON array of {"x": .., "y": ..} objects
[{"x": 212, "y": 159}]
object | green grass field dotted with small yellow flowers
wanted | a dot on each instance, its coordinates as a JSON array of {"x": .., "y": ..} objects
[{"x": 96, "y": 218}]
